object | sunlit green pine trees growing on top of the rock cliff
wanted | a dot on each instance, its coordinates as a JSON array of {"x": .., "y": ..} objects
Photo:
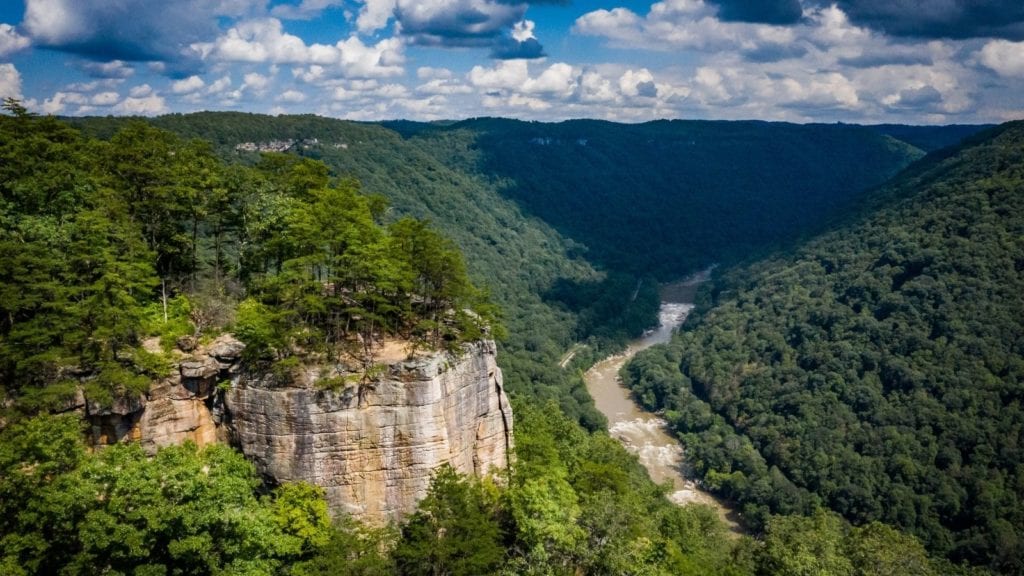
[{"x": 104, "y": 244}]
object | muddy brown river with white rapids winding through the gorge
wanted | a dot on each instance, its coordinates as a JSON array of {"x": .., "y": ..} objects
[{"x": 645, "y": 434}]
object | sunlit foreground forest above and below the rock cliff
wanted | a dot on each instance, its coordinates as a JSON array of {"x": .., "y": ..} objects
[{"x": 115, "y": 253}]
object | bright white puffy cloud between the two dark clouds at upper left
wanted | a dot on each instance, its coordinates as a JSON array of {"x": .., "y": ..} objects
[{"x": 265, "y": 40}]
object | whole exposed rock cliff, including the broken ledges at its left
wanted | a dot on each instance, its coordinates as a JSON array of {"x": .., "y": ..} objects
[{"x": 372, "y": 446}]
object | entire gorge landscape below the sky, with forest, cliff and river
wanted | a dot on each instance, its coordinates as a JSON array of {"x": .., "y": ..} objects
[{"x": 790, "y": 384}]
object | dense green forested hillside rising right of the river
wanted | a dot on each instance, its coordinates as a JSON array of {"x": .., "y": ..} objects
[{"x": 878, "y": 369}]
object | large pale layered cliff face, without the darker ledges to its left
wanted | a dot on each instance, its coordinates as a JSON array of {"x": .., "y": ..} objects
[{"x": 373, "y": 446}]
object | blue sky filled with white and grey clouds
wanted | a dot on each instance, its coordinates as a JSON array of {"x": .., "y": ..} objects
[{"x": 916, "y": 62}]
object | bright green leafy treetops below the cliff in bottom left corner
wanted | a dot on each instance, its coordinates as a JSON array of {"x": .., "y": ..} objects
[{"x": 185, "y": 512}]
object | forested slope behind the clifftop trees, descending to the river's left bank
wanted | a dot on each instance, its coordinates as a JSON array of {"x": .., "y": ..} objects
[{"x": 517, "y": 258}]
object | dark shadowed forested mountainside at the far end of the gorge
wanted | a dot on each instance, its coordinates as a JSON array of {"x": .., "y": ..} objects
[{"x": 666, "y": 198}]
